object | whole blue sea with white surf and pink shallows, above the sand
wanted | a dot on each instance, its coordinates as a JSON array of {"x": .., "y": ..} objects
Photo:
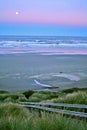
[{"x": 43, "y": 44}]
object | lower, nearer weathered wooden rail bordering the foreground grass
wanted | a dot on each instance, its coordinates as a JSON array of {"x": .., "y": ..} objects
[{"x": 66, "y": 112}]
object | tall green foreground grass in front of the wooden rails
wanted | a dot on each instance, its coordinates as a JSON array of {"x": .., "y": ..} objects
[{"x": 14, "y": 117}]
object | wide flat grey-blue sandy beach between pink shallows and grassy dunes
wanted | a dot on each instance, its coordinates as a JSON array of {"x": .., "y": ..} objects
[{"x": 18, "y": 72}]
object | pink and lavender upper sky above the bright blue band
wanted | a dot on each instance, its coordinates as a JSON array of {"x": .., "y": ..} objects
[{"x": 44, "y": 11}]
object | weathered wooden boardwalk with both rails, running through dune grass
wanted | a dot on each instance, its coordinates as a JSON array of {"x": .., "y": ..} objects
[{"x": 45, "y": 107}]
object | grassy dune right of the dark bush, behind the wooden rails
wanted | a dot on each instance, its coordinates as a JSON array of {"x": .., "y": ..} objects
[{"x": 73, "y": 95}]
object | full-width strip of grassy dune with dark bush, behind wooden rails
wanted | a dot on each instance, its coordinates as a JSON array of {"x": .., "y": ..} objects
[{"x": 74, "y": 95}]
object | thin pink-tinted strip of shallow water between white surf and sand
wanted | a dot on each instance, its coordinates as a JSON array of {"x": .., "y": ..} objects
[{"x": 45, "y": 51}]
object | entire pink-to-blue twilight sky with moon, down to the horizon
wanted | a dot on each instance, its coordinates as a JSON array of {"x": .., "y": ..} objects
[{"x": 43, "y": 17}]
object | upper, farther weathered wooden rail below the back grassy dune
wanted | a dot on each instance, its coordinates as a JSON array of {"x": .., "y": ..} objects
[{"x": 82, "y": 106}]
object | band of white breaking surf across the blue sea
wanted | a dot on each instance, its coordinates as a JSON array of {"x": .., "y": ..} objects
[{"x": 32, "y": 44}]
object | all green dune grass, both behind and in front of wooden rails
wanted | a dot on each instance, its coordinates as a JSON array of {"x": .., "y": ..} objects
[{"x": 14, "y": 117}]
